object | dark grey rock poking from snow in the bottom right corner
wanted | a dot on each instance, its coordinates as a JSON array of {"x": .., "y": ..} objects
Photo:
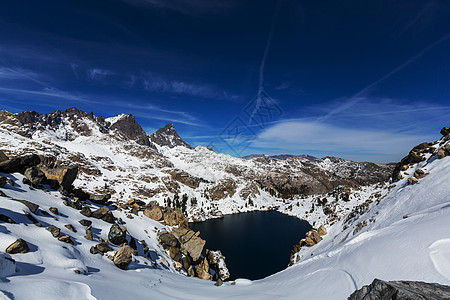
[{"x": 401, "y": 290}]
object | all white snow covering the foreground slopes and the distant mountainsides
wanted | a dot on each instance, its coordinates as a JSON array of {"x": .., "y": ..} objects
[{"x": 406, "y": 234}]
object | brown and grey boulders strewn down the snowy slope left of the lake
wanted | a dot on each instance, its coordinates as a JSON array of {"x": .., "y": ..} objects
[{"x": 184, "y": 246}]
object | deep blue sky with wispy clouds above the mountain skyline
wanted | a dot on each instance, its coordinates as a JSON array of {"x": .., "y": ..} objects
[{"x": 362, "y": 80}]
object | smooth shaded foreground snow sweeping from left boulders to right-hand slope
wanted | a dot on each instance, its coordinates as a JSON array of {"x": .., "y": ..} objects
[{"x": 406, "y": 237}]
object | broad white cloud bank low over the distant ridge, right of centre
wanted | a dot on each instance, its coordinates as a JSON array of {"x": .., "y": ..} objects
[{"x": 311, "y": 137}]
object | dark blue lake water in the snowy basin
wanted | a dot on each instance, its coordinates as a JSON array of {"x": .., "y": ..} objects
[{"x": 255, "y": 244}]
